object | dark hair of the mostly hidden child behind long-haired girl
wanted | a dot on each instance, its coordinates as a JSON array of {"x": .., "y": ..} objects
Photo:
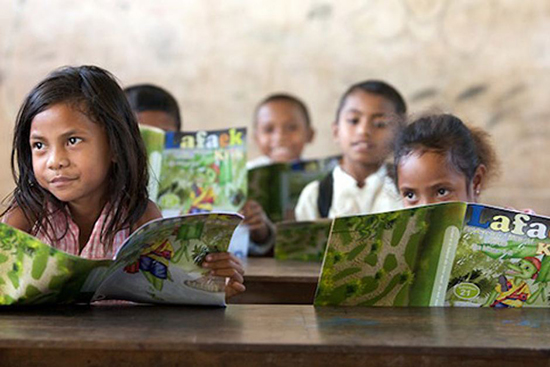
[{"x": 148, "y": 97}]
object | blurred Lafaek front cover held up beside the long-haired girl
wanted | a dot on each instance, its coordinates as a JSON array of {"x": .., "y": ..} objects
[{"x": 203, "y": 171}]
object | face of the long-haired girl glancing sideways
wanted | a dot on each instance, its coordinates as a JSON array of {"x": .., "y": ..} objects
[{"x": 71, "y": 156}]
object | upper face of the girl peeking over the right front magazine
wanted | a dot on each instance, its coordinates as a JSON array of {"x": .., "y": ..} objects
[{"x": 427, "y": 178}]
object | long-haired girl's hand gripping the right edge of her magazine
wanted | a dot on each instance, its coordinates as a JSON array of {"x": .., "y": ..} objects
[{"x": 224, "y": 264}]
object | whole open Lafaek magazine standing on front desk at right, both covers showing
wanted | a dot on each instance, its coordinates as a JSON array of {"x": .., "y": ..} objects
[{"x": 449, "y": 254}]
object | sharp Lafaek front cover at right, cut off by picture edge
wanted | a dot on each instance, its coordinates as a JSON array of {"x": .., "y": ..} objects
[{"x": 502, "y": 261}]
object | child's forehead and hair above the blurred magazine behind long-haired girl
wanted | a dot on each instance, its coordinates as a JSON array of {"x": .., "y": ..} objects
[{"x": 154, "y": 106}]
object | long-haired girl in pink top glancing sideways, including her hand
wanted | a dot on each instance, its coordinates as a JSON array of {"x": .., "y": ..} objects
[{"x": 80, "y": 169}]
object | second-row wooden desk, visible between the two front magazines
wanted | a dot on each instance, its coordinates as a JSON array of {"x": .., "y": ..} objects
[{"x": 269, "y": 281}]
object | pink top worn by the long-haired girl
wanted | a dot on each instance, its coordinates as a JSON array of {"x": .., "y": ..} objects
[{"x": 94, "y": 248}]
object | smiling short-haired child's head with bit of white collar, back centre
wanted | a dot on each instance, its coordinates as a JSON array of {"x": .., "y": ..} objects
[{"x": 282, "y": 128}]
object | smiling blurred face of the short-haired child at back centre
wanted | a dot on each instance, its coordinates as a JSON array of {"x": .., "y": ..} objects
[{"x": 282, "y": 131}]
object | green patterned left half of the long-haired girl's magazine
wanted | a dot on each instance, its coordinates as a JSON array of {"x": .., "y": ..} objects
[{"x": 32, "y": 272}]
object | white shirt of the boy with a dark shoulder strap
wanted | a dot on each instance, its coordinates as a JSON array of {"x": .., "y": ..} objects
[{"x": 378, "y": 194}]
